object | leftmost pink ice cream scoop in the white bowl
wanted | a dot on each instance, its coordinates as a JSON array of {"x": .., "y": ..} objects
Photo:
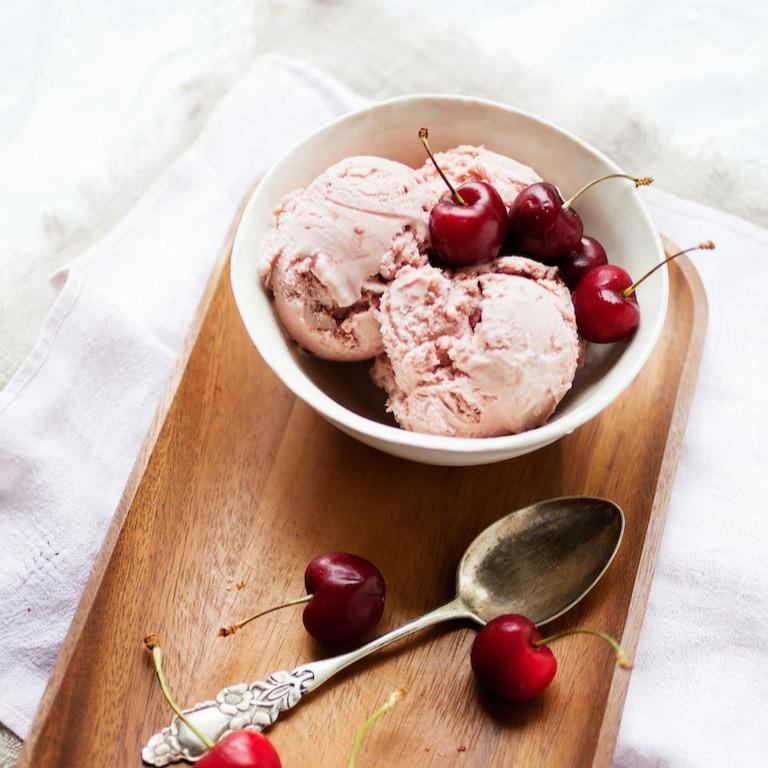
[{"x": 335, "y": 244}]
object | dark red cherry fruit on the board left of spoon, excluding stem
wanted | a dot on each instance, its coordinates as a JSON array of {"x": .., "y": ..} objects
[{"x": 347, "y": 597}]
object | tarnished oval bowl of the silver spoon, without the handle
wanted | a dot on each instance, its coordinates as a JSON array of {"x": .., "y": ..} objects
[{"x": 540, "y": 560}]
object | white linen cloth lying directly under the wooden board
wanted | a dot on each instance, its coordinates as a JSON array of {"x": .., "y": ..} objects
[{"x": 73, "y": 417}]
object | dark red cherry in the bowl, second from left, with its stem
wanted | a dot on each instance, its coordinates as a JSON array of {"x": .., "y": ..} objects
[{"x": 544, "y": 227}]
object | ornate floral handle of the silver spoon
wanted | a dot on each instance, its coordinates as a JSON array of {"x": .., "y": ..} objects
[{"x": 257, "y": 705}]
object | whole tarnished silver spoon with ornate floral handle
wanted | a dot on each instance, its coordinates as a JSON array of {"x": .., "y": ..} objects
[{"x": 539, "y": 561}]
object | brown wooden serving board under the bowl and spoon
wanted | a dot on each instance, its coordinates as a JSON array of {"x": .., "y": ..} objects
[{"x": 239, "y": 483}]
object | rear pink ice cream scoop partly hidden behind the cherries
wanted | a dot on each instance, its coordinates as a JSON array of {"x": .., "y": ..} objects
[{"x": 470, "y": 163}]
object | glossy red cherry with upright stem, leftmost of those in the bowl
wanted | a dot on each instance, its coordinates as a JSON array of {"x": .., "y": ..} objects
[{"x": 466, "y": 226}]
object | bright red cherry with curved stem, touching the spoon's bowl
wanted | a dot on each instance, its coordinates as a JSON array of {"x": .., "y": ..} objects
[{"x": 512, "y": 660}]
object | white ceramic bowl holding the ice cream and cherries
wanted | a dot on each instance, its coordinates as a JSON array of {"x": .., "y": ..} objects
[{"x": 342, "y": 392}]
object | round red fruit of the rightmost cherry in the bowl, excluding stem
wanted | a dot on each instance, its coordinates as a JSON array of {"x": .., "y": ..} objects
[{"x": 604, "y": 311}]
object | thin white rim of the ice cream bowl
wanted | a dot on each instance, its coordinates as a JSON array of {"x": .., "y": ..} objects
[{"x": 349, "y": 420}]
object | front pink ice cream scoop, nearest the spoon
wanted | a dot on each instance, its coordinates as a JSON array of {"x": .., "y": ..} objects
[{"x": 485, "y": 351}]
